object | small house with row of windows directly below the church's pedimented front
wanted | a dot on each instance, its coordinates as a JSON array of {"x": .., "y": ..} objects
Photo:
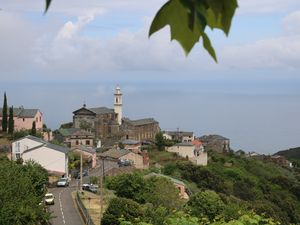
[{"x": 74, "y": 137}]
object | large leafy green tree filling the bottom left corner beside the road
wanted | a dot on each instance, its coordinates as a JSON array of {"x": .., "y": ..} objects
[{"x": 21, "y": 192}]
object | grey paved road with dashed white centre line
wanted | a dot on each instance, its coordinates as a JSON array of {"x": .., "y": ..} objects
[{"x": 64, "y": 209}]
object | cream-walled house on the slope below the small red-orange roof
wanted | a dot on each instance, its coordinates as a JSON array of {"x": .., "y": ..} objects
[{"x": 193, "y": 152}]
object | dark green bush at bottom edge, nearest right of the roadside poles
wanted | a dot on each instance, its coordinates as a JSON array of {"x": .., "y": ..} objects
[{"x": 122, "y": 208}]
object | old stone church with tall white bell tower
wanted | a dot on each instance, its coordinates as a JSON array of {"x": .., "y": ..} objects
[{"x": 109, "y": 123}]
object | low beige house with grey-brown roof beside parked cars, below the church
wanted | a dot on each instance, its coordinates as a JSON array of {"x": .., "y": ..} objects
[{"x": 124, "y": 157}]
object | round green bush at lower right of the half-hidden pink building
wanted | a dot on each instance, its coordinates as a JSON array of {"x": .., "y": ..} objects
[{"x": 206, "y": 204}]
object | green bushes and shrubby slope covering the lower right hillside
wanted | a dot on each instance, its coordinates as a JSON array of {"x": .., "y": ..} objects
[{"x": 232, "y": 189}]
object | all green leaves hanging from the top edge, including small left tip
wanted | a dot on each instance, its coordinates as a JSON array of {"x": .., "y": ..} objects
[{"x": 188, "y": 20}]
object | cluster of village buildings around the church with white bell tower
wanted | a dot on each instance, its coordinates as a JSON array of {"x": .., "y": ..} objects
[{"x": 103, "y": 133}]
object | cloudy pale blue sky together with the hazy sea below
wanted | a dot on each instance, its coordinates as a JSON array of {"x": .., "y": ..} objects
[{"x": 81, "y": 50}]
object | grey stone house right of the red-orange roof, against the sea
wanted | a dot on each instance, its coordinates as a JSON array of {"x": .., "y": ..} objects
[{"x": 215, "y": 143}]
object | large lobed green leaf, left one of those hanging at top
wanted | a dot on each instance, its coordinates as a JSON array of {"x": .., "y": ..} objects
[{"x": 181, "y": 22}]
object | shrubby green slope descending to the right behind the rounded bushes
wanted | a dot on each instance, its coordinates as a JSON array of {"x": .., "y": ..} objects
[{"x": 258, "y": 185}]
